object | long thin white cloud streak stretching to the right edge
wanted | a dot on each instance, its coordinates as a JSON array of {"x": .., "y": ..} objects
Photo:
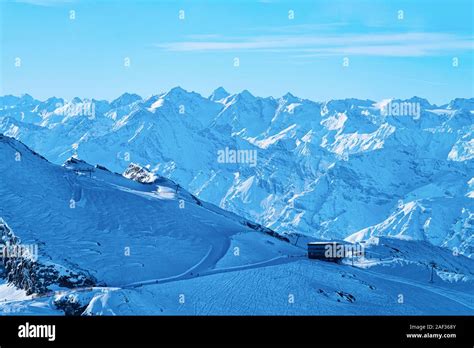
[{"x": 394, "y": 44}]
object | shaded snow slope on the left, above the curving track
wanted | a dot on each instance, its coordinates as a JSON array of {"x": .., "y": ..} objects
[{"x": 116, "y": 230}]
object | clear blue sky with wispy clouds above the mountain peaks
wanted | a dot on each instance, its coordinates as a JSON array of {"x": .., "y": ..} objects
[{"x": 304, "y": 55}]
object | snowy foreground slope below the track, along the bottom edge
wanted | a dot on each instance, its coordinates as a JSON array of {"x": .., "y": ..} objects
[{"x": 294, "y": 287}]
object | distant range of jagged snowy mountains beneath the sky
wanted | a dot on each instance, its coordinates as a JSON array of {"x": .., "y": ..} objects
[{"x": 331, "y": 169}]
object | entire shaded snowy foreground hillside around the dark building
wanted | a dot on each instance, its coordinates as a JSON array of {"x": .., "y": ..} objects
[{"x": 139, "y": 244}]
